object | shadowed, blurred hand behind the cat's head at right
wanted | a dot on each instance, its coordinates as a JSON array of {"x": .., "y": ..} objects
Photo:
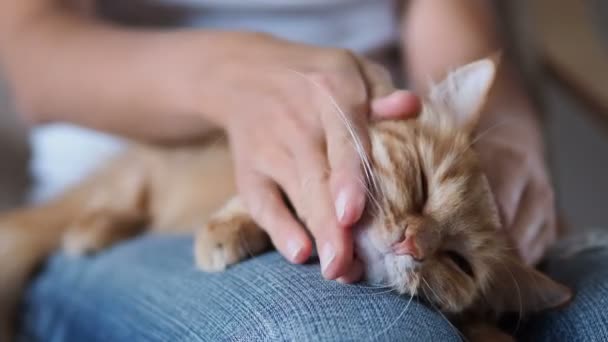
[{"x": 519, "y": 179}]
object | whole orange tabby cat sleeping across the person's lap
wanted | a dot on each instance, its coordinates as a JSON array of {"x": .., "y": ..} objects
[{"x": 431, "y": 227}]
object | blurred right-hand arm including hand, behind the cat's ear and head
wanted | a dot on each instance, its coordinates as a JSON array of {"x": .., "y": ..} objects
[{"x": 440, "y": 35}]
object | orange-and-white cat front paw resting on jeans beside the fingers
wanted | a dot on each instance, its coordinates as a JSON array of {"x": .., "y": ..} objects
[{"x": 230, "y": 236}]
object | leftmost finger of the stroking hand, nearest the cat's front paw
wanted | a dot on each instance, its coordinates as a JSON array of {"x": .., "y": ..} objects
[{"x": 266, "y": 206}]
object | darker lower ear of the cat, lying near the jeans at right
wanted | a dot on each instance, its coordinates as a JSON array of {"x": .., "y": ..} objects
[{"x": 520, "y": 288}]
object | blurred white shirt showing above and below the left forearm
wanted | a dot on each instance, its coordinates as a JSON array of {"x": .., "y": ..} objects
[{"x": 64, "y": 154}]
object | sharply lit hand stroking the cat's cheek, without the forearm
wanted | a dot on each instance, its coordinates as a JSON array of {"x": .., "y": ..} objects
[{"x": 292, "y": 112}]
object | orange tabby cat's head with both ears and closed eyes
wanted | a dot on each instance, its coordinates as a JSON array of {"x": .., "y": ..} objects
[{"x": 432, "y": 227}]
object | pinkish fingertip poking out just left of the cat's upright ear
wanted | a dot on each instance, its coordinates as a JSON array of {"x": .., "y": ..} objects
[{"x": 400, "y": 104}]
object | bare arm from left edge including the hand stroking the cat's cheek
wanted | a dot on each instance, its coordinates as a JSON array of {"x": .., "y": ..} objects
[{"x": 272, "y": 97}]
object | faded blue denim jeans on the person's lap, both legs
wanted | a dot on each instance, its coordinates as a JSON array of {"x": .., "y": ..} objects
[{"x": 148, "y": 290}]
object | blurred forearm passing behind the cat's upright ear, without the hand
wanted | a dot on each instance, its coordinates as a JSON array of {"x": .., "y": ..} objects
[{"x": 441, "y": 35}]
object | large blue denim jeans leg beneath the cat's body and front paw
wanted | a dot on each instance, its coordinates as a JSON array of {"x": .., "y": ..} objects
[{"x": 262, "y": 299}]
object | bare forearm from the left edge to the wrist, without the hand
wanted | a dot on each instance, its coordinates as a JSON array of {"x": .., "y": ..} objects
[{"x": 66, "y": 67}]
